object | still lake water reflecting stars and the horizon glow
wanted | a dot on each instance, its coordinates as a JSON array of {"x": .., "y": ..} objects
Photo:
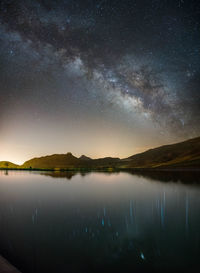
[{"x": 98, "y": 222}]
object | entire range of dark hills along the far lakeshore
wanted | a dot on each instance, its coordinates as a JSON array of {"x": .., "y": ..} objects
[{"x": 180, "y": 155}]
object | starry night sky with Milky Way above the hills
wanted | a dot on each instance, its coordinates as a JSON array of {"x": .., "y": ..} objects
[{"x": 101, "y": 78}]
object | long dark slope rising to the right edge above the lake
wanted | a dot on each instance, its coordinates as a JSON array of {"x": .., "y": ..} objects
[{"x": 184, "y": 154}]
